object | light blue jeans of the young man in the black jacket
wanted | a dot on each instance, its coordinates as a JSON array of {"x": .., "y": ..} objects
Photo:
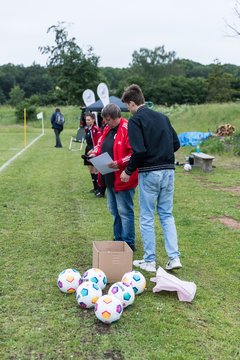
[{"x": 156, "y": 189}]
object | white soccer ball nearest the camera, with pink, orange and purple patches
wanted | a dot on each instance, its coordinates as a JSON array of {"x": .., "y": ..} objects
[{"x": 108, "y": 308}]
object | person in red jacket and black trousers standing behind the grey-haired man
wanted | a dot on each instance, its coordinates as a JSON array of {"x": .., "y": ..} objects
[{"x": 92, "y": 135}]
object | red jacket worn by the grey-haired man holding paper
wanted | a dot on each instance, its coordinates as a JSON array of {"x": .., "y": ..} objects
[{"x": 121, "y": 154}]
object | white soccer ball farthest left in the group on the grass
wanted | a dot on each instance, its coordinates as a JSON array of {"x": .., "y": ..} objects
[{"x": 69, "y": 280}]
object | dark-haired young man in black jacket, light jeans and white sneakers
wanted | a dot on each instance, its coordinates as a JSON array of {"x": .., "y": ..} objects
[{"x": 153, "y": 141}]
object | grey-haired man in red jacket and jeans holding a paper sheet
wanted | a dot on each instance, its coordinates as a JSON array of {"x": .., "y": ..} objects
[{"x": 114, "y": 141}]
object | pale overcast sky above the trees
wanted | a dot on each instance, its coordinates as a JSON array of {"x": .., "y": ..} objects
[{"x": 194, "y": 29}]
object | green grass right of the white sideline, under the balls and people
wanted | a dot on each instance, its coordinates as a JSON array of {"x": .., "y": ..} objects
[{"x": 48, "y": 222}]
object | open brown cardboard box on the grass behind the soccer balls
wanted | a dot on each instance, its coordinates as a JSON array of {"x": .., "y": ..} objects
[{"x": 113, "y": 257}]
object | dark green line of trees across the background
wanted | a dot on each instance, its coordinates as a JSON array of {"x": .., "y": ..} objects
[{"x": 164, "y": 78}]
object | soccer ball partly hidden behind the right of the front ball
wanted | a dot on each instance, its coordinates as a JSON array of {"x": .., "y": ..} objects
[{"x": 123, "y": 292}]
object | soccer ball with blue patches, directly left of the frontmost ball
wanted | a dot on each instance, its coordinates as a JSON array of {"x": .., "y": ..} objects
[{"x": 87, "y": 294}]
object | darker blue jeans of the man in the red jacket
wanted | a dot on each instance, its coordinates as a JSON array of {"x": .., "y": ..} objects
[{"x": 120, "y": 205}]
